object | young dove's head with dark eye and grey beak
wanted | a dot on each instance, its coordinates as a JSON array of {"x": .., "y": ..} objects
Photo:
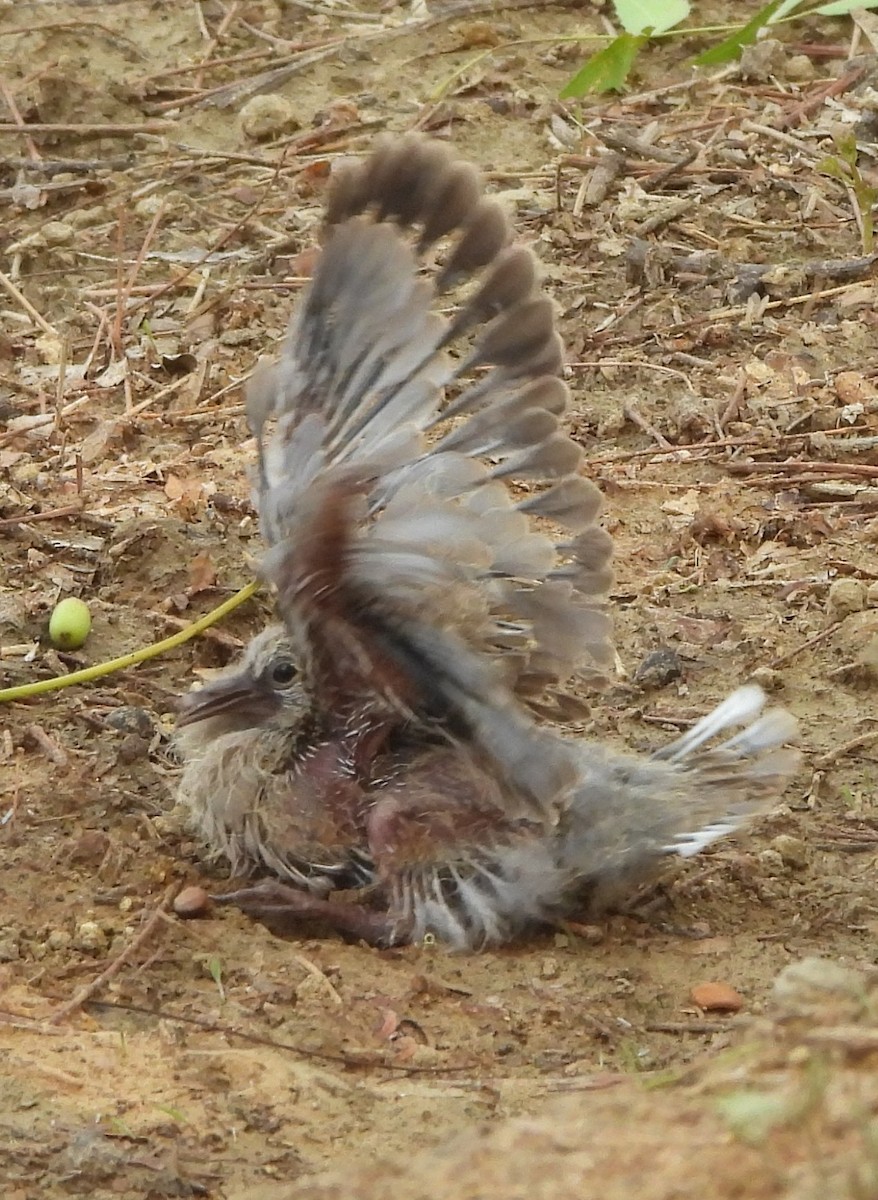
[{"x": 263, "y": 689}]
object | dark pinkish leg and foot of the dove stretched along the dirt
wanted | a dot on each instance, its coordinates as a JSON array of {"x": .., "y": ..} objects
[{"x": 285, "y": 910}]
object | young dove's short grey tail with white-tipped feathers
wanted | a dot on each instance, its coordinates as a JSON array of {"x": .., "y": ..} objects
[{"x": 629, "y": 813}]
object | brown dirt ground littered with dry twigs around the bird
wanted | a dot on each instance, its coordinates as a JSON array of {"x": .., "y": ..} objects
[{"x": 717, "y": 295}]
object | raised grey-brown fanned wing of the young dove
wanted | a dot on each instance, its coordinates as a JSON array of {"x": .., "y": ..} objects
[{"x": 408, "y": 459}]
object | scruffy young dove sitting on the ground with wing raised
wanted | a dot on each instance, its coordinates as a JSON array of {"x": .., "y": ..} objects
[{"x": 440, "y": 569}]
